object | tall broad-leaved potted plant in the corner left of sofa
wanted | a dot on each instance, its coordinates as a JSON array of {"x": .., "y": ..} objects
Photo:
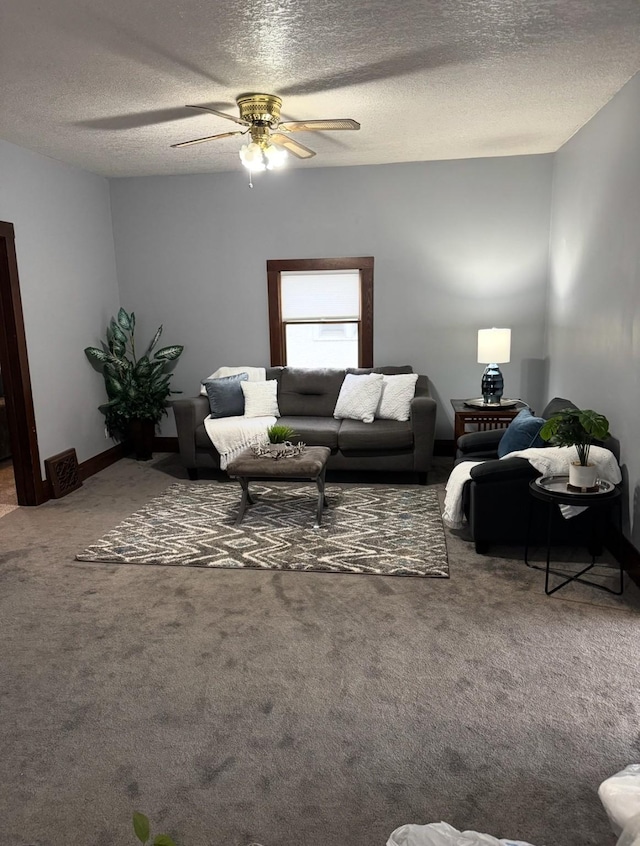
[{"x": 137, "y": 388}]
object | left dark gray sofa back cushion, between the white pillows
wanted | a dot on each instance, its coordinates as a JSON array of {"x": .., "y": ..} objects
[{"x": 306, "y": 391}]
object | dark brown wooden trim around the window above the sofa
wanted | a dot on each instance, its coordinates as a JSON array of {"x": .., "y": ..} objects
[{"x": 364, "y": 264}]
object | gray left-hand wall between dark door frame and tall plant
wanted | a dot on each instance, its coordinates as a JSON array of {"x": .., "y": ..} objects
[{"x": 66, "y": 264}]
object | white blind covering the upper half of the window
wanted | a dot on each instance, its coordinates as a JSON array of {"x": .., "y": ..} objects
[{"x": 320, "y": 295}]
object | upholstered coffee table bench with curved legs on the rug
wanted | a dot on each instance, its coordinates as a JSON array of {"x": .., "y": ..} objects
[{"x": 310, "y": 464}]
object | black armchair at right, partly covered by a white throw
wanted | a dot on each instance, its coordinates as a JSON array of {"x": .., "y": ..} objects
[{"x": 496, "y": 500}]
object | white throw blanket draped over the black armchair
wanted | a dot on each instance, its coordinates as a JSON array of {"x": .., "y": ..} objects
[{"x": 550, "y": 461}]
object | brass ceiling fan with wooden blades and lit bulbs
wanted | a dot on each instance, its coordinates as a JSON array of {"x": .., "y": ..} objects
[{"x": 270, "y": 139}]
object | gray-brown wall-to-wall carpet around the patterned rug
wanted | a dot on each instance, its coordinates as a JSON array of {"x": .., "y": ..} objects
[{"x": 299, "y": 708}]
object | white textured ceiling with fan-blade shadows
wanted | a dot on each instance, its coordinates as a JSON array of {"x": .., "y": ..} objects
[{"x": 103, "y": 85}]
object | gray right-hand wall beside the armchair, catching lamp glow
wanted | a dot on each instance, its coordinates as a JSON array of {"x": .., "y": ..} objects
[{"x": 594, "y": 297}]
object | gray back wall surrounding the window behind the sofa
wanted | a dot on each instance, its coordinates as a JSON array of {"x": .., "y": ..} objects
[{"x": 458, "y": 246}]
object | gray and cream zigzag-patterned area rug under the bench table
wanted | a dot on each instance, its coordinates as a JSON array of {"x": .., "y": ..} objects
[{"x": 391, "y": 531}]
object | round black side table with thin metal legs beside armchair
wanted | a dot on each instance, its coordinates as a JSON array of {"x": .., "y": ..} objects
[{"x": 553, "y": 490}]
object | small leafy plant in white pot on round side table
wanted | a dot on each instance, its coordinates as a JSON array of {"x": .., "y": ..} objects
[{"x": 578, "y": 427}]
